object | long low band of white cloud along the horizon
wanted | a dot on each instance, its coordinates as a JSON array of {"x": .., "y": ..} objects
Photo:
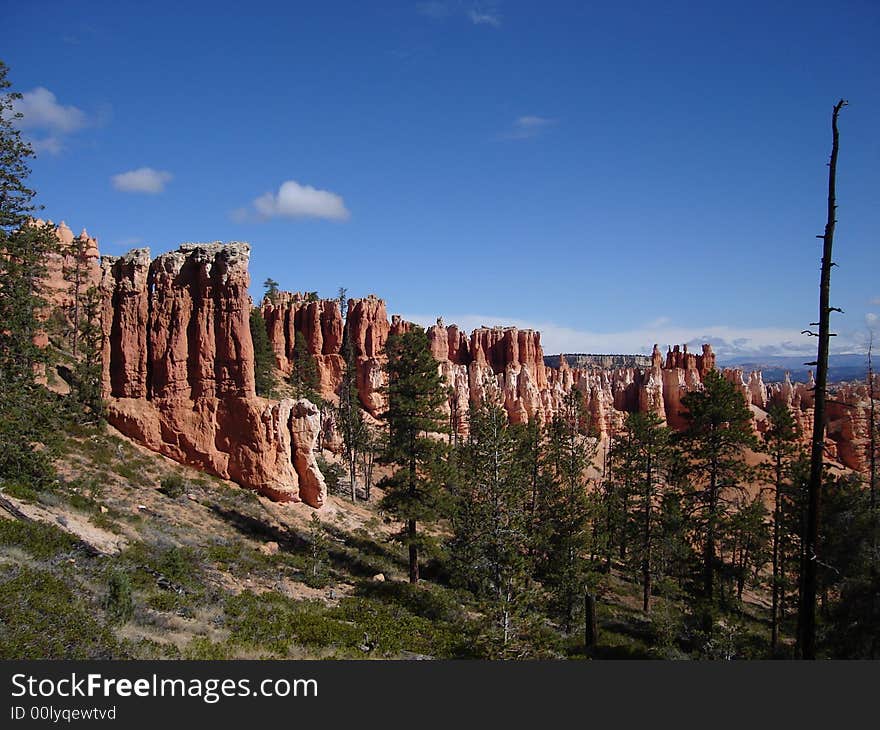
[{"x": 727, "y": 342}]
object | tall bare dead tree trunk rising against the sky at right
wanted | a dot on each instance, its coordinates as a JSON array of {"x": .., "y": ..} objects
[{"x": 807, "y": 609}]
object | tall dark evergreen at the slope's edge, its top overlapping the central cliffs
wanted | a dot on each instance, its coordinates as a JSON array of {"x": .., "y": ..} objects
[{"x": 415, "y": 415}]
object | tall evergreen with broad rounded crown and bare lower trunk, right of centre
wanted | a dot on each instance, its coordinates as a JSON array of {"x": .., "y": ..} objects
[{"x": 718, "y": 432}]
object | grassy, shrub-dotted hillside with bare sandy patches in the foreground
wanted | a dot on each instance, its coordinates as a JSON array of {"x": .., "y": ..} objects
[{"x": 130, "y": 555}]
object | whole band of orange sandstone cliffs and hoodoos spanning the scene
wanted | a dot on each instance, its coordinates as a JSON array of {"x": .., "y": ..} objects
[{"x": 178, "y": 370}]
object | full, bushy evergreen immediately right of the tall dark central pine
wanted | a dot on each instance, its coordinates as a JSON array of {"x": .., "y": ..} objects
[{"x": 491, "y": 520}]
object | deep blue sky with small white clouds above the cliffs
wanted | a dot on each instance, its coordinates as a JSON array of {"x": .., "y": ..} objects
[{"x": 614, "y": 174}]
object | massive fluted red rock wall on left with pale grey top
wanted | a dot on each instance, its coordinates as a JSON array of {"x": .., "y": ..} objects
[{"x": 179, "y": 371}]
